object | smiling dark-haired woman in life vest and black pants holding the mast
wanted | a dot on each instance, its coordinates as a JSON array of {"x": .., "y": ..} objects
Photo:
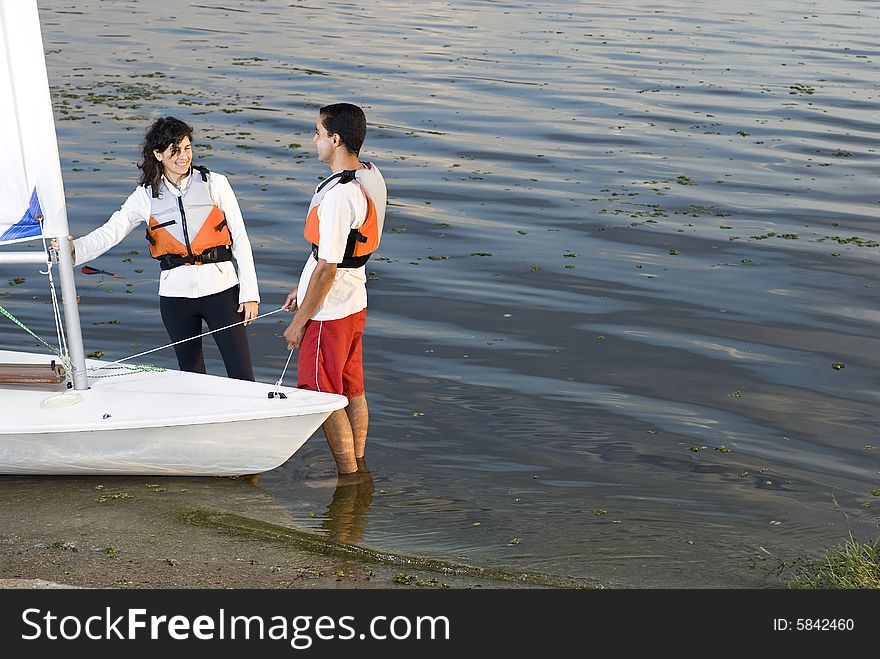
[{"x": 195, "y": 229}]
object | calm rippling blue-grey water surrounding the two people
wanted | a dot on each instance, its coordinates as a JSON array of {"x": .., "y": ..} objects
[{"x": 624, "y": 247}]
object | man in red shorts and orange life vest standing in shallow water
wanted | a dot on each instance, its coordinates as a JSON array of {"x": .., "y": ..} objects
[{"x": 344, "y": 225}]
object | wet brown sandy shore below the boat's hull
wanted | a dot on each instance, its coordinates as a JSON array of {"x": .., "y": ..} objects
[{"x": 165, "y": 533}]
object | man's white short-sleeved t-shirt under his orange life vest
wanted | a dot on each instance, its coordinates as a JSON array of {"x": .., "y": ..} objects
[{"x": 342, "y": 209}]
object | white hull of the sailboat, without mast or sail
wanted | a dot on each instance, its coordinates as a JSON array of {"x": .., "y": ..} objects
[{"x": 154, "y": 423}]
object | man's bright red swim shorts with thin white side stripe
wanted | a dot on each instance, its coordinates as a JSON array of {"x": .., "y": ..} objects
[{"x": 331, "y": 356}]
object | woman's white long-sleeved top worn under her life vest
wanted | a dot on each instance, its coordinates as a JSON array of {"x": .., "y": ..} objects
[{"x": 192, "y": 281}]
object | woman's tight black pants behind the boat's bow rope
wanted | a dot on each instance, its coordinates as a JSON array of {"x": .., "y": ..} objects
[{"x": 183, "y": 318}]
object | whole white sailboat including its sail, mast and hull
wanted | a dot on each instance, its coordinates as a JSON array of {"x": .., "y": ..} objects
[{"x": 138, "y": 423}]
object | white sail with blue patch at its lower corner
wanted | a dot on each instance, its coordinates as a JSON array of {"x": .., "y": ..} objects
[{"x": 31, "y": 188}]
